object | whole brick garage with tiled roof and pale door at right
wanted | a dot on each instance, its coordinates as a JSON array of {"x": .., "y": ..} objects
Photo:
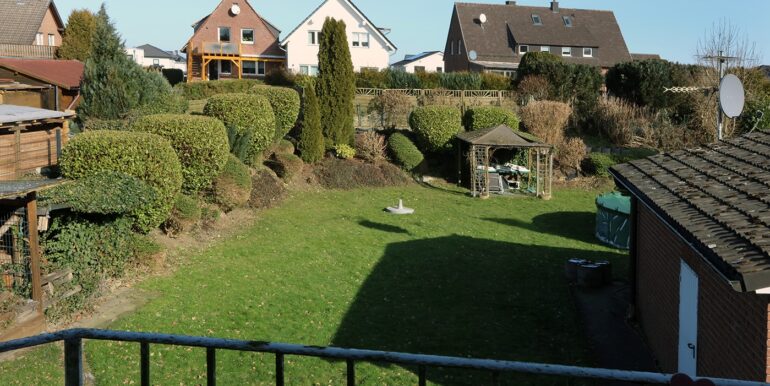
[{"x": 700, "y": 256}]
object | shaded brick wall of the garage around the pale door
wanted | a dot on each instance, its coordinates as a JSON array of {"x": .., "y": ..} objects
[{"x": 732, "y": 326}]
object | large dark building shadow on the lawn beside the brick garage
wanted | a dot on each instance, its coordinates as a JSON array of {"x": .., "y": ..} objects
[{"x": 469, "y": 297}]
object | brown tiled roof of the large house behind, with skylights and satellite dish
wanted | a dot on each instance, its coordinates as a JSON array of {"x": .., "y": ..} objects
[{"x": 507, "y": 25}]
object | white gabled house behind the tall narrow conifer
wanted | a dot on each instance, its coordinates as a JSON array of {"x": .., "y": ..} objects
[{"x": 370, "y": 48}]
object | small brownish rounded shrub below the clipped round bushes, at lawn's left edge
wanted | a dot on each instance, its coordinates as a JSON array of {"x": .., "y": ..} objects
[{"x": 232, "y": 188}]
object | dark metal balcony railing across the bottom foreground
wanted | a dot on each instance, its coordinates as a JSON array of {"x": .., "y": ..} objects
[{"x": 73, "y": 358}]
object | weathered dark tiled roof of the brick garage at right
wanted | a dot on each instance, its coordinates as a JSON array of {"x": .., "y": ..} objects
[{"x": 716, "y": 197}]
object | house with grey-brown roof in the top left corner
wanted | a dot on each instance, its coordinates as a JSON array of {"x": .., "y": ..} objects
[{"x": 30, "y": 29}]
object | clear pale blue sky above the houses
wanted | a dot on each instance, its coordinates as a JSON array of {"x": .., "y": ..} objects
[{"x": 670, "y": 28}]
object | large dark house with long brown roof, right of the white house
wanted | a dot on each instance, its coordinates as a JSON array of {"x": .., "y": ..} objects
[{"x": 494, "y": 37}]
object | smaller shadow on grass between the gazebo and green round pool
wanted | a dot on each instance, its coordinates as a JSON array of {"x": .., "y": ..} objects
[{"x": 578, "y": 226}]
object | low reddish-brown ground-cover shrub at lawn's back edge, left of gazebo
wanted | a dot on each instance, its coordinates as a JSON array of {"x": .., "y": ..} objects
[{"x": 334, "y": 173}]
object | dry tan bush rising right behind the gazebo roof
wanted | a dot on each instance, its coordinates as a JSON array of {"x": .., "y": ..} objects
[{"x": 546, "y": 120}]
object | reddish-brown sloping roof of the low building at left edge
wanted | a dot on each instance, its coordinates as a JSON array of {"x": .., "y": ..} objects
[{"x": 63, "y": 73}]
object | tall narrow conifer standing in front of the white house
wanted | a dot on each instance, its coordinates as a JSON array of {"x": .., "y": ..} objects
[{"x": 336, "y": 85}]
